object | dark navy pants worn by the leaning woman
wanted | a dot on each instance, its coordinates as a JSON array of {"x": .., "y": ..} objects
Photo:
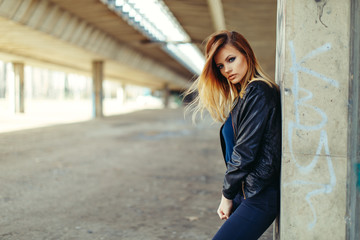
[{"x": 252, "y": 216}]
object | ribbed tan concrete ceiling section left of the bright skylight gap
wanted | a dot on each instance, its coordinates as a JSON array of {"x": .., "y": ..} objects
[{"x": 71, "y": 41}]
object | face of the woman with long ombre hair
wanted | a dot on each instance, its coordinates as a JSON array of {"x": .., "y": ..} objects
[{"x": 231, "y": 63}]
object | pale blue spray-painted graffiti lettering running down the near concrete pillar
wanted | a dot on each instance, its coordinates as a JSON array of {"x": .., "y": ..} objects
[{"x": 317, "y": 188}]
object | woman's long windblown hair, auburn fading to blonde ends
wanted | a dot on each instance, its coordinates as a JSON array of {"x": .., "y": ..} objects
[{"x": 213, "y": 91}]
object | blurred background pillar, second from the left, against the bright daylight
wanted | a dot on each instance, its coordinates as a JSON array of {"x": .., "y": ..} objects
[{"x": 97, "y": 92}]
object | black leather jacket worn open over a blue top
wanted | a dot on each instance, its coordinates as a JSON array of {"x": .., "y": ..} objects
[{"x": 256, "y": 157}]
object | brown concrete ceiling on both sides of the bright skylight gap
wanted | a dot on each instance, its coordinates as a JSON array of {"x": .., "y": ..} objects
[{"x": 69, "y": 35}]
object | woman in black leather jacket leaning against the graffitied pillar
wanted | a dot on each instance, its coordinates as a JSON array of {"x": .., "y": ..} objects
[{"x": 234, "y": 90}]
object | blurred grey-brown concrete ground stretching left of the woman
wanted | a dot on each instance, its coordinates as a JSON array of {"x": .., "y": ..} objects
[{"x": 146, "y": 175}]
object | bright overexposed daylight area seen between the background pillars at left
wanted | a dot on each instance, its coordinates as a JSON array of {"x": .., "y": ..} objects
[{"x": 55, "y": 97}]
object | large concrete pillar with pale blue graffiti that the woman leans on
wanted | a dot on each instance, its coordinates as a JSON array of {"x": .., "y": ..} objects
[{"x": 316, "y": 74}]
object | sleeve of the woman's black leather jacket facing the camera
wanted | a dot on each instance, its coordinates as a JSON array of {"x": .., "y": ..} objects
[{"x": 253, "y": 118}]
